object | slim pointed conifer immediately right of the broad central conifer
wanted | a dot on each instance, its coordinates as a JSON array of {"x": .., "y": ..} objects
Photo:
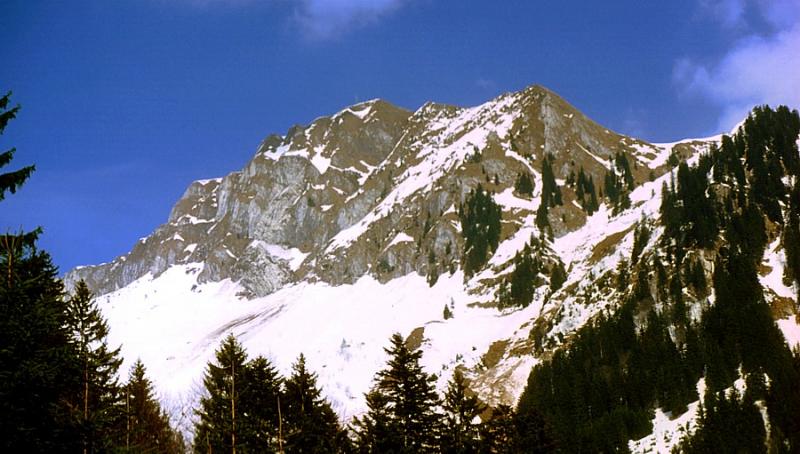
[{"x": 460, "y": 434}]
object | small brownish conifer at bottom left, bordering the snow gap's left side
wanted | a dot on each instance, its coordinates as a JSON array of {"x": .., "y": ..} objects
[{"x": 147, "y": 427}]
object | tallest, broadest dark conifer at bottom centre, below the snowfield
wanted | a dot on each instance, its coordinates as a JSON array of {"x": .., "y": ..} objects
[{"x": 401, "y": 417}]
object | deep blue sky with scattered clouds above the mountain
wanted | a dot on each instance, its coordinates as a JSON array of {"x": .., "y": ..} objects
[{"x": 125, "y": 102}]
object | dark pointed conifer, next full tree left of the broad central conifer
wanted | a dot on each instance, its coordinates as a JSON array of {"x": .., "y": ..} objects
[{"x": 310, "y": 426}]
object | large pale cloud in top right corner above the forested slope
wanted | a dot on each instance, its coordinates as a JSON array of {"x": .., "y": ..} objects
[{"x": 756, "y": 69}]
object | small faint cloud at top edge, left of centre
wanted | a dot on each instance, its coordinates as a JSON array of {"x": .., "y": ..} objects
[{"x": 322, "y": 19}]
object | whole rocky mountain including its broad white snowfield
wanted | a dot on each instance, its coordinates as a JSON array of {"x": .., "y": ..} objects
[{"x": 343, "y": 231}]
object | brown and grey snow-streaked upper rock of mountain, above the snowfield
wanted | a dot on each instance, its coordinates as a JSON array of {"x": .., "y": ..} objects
[{"x": 372, "y": 189}]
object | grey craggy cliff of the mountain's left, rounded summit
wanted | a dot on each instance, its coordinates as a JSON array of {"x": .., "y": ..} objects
[{"x": 255, "y": 226}]
